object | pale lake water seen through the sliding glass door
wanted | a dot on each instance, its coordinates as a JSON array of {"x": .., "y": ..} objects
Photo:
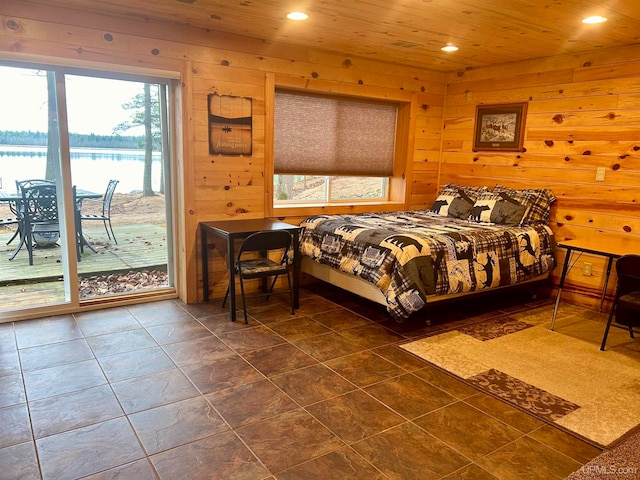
[{"x": 91, "y": 169}]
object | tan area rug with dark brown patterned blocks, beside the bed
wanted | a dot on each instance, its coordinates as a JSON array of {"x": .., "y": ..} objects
[{"x": 559, "y": 376}]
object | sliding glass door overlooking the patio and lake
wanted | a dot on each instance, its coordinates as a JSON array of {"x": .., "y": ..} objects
[{"x": 103, "y": 140}]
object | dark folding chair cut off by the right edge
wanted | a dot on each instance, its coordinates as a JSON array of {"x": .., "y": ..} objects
[{"x": 626, "y": 301}]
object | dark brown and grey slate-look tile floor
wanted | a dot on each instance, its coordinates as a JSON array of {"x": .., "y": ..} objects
[{"x": 173, "y": 391}]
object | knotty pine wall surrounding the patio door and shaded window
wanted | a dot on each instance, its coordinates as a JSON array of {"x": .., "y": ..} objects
[{"x": 221, "y": 187}]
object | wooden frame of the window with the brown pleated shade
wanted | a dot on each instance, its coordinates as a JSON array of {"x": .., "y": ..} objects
[{"x": 397, "y": 183}]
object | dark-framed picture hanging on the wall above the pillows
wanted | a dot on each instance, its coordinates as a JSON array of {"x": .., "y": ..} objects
[{"x": 500, "y": 127}]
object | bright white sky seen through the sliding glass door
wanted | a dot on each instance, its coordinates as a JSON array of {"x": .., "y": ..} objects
[{"x": 94, "y": 104}]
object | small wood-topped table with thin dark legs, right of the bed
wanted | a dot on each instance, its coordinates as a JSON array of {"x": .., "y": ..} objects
[{"x": 608, "y": 247}]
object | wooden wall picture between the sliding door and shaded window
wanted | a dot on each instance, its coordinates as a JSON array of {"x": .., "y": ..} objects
[{"x": 230, "y": 125}]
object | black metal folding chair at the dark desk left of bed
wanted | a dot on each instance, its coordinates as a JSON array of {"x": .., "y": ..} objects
[{"x": 247, "y": 266}]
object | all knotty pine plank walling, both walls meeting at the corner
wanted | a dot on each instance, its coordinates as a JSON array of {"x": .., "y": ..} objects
[{"x": 583, "y": 114}]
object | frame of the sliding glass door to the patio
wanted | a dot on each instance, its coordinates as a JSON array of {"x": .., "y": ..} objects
[{"x": 72, "y": 302}]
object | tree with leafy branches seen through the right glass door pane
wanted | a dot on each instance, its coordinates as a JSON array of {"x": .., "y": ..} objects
[{"x": 145, "y": 109}]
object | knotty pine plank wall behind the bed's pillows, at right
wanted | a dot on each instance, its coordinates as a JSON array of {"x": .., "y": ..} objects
[{"x": 583, "y": 113}]
